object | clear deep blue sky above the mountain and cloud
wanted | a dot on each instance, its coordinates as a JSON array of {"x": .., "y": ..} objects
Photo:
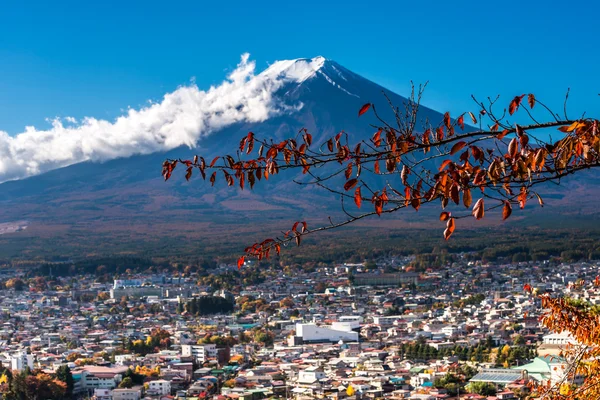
[{"x": 96, "y": 58}]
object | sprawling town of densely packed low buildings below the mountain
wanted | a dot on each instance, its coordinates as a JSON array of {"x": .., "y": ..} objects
[{"x": 350, "y": 331}]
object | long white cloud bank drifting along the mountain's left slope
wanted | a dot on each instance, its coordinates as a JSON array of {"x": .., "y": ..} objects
[{"x": 181, "y": 118}]
